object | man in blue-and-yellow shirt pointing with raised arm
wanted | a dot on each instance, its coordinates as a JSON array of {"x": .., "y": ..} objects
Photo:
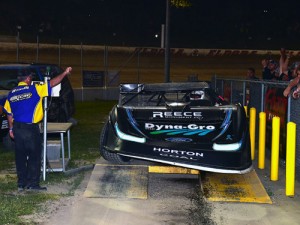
[{"x": 24, "y": 106}]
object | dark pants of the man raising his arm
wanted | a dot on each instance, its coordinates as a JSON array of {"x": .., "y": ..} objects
[{"x": 28, "y": 153}]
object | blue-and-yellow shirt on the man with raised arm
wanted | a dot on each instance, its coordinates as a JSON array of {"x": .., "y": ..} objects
[{"x": 25, "y": 102}]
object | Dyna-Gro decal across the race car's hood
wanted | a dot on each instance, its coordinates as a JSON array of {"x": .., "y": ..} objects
[{"x": 190, "y": 129}]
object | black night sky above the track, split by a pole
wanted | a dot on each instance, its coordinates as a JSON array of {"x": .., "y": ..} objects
[{"x": 207, "y": 24}]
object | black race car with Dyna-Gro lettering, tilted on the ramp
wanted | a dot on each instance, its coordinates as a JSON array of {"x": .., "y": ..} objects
[{"x": 182, "y": 124}]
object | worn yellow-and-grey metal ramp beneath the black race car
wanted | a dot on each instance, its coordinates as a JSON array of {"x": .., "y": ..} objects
[{"x": 131, "y": 181}]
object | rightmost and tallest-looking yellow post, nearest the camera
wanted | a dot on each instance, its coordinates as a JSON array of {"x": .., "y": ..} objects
[{"x": 290, "y": 159}]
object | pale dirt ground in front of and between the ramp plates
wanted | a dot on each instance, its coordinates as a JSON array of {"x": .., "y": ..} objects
[{"x": 171, "y": 200}]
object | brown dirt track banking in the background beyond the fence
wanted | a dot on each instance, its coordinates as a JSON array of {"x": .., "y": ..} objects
[{"x": 142, "y": 64}]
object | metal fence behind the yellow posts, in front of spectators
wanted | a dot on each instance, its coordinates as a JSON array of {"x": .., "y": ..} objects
[{"x": 264, "y": 96}]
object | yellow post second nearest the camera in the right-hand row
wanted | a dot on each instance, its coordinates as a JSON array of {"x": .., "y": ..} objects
[{"x": 275, "y": 148}]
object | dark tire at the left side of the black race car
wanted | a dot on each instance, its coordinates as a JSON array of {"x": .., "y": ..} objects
[{"x": 110, "y": 156}]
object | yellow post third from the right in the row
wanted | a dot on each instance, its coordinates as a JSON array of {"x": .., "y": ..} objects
[{"x": 262, "y": 140}]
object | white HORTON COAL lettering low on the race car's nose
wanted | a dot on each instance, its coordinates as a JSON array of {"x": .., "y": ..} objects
[{"x": 179, "y": 154}]
